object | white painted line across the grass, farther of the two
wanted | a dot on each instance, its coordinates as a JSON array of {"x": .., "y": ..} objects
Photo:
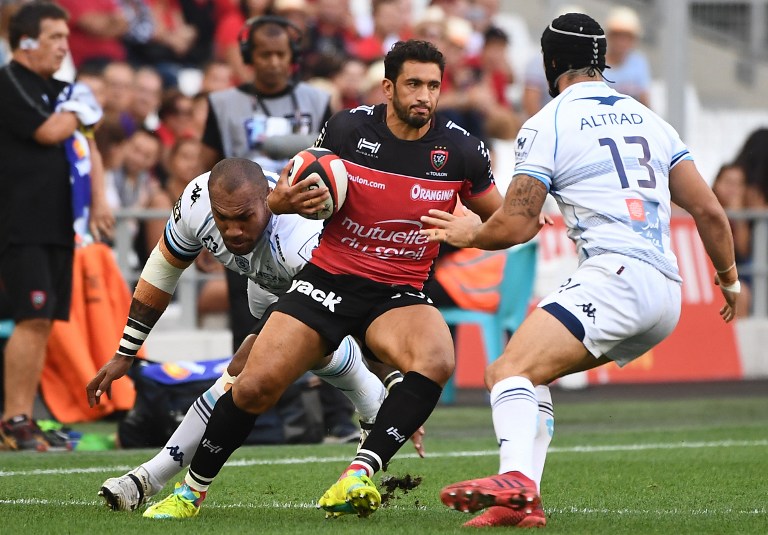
[{"x": 479, "y": 453}]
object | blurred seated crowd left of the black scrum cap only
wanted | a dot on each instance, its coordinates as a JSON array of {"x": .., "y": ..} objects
[{"x": 137, "y": 56}]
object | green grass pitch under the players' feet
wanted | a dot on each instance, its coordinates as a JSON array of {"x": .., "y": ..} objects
[{"x": 693, "y": 466}]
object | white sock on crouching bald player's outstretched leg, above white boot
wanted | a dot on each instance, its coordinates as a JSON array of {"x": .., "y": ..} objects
[{"x": 181, "y": 447}]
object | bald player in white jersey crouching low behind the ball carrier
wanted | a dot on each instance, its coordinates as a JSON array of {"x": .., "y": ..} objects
[{"x": 224, "y": 211}]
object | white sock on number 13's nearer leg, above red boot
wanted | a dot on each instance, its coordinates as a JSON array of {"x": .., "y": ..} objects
[{"x": 514, "y": 408}]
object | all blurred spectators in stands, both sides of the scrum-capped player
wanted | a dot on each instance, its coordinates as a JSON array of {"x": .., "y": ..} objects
[{"x": 153, "y": 66}]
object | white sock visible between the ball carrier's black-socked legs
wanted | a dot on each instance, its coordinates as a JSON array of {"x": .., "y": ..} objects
[{"x": 348, "y": 373}]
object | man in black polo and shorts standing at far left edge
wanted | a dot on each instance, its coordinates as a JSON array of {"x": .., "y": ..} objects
[{"x": 36, "y": 214}]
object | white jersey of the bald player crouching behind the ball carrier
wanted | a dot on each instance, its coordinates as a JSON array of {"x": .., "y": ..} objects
[{"x": 283, "y": 249}]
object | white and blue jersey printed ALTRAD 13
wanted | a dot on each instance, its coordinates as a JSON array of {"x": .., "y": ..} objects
[{"x": 606, "y": 159}]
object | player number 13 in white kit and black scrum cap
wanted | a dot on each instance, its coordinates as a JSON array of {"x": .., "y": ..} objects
[{"x": 613, "y": 166}]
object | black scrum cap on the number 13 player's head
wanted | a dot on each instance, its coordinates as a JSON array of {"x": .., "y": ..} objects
[{"x": 572, "y": 41}]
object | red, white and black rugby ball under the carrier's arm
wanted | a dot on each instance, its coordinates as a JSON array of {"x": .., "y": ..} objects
[{"x": 330, "y": 168}]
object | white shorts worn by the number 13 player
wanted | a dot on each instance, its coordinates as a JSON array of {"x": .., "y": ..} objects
[{"x": 617, "y": 306}]
